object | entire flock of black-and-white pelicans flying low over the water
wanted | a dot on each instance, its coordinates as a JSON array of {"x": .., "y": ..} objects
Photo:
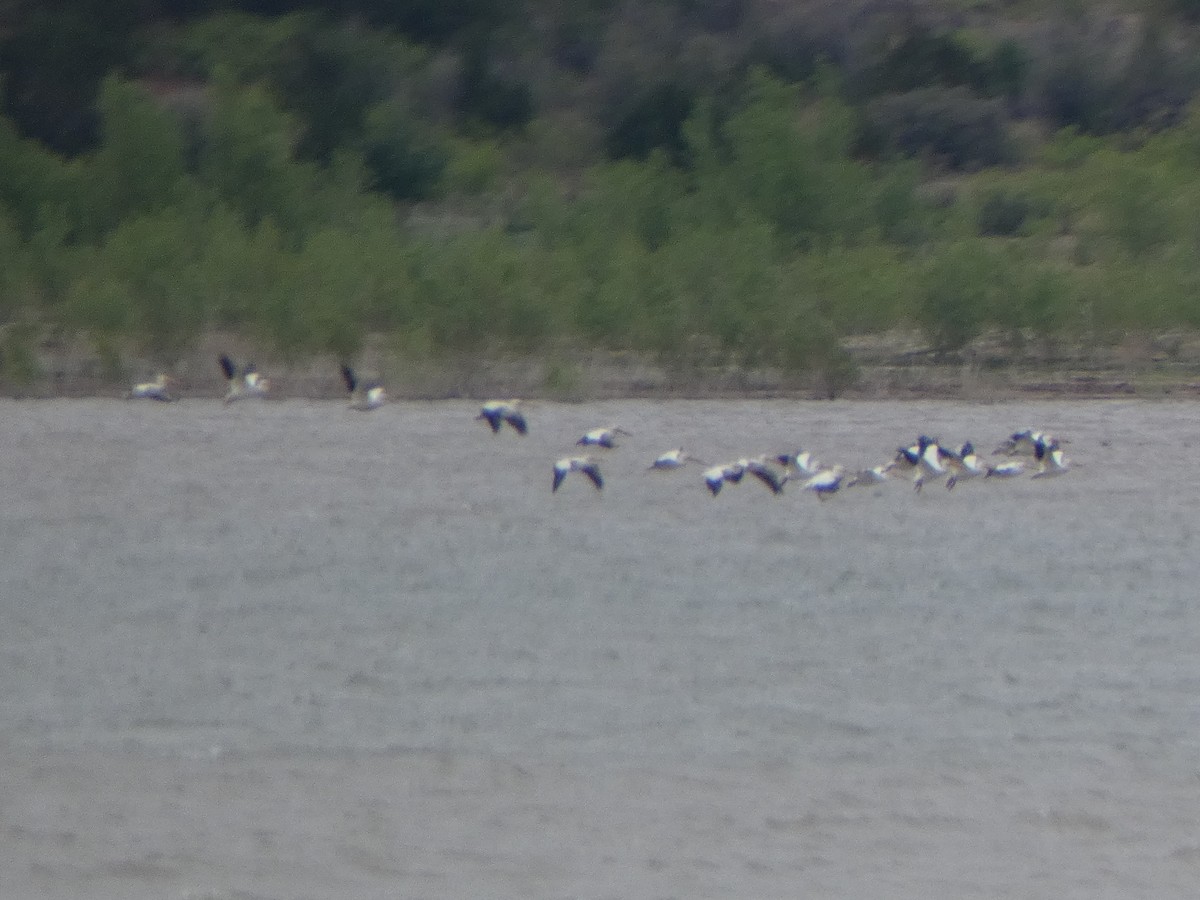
[{"x": 925, "y": 461}]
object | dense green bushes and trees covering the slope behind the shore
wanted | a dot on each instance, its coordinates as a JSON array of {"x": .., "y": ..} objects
[{"x": 710, "y": 183}]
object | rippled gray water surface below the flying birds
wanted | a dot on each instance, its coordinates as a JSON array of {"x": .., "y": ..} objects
[{"x": 289, "y": 651}]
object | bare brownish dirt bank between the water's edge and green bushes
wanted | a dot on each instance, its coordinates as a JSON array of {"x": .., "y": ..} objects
[{"x": 896, "y": 365}]
